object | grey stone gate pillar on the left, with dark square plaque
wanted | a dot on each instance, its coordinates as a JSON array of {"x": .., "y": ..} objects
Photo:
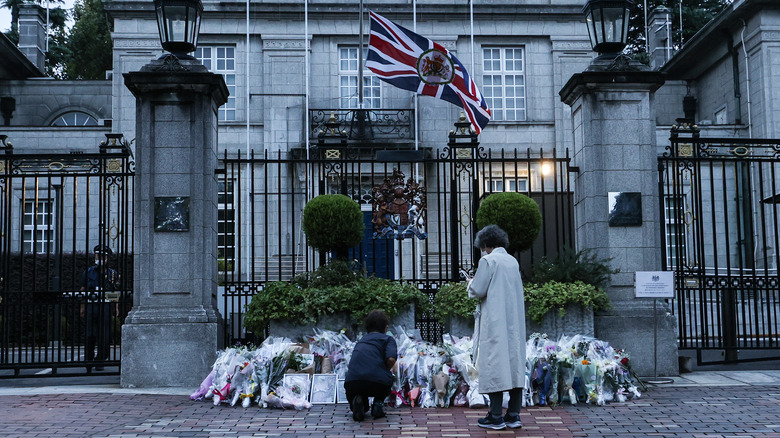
[{"x": 170, "y": 337}]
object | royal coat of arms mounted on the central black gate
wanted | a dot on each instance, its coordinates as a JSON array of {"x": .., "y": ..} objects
[{"x": 399, "y": 208}]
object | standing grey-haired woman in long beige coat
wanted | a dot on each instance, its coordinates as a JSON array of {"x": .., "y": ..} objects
[{"x": 499, "y": 334}]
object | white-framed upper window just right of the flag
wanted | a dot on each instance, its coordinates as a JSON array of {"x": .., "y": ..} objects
[{"x": 503, "y": 82}]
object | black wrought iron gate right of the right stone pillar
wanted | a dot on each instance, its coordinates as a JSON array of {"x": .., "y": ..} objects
[{"x": 719, "y": 203}]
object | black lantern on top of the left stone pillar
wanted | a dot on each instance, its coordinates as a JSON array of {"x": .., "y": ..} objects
[{"x": 179, "y": 24}]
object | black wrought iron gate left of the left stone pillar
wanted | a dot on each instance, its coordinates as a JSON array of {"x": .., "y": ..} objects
[{"x": 54, "y": 210}]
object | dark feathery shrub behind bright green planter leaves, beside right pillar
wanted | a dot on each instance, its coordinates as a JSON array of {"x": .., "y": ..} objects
[{"x": 571, "y": 266}]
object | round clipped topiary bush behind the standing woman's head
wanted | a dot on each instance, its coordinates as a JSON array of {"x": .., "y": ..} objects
[{"x": 516, "y": 214}]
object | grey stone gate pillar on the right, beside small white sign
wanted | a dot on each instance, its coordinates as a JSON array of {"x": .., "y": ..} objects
[{"x": 615, "y": 151}]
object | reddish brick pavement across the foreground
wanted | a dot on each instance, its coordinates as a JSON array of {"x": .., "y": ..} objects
[{"x": 696, "y": 411}]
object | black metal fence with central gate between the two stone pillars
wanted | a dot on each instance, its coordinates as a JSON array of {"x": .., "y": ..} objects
[{"x": 262, "y": 198}]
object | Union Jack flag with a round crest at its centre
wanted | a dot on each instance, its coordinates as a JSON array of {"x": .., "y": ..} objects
[{"x": 412, "y": 62}]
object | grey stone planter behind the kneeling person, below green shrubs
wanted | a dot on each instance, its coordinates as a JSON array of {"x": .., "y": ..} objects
[{"x": 334, "y": 322}]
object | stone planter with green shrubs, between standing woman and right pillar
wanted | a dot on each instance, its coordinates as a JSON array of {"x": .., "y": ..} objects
[{"x": 563, "y": 293}]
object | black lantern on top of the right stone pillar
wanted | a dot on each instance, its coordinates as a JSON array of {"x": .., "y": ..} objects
[{"x": 608, "y": 25}]
